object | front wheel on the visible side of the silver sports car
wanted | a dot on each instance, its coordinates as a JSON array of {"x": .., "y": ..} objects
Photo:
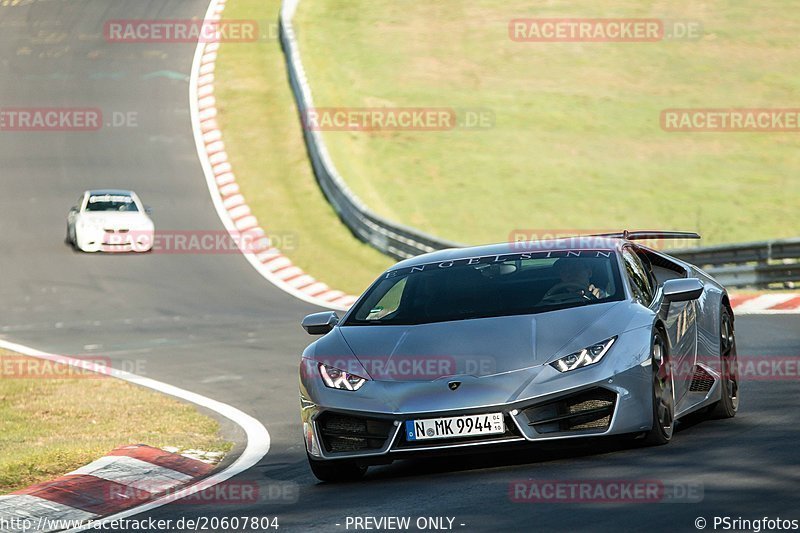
[{"x": 663, "y": 392}]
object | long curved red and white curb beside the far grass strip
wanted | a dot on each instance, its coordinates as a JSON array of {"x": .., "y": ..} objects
[{"x": 228, "y": 200}]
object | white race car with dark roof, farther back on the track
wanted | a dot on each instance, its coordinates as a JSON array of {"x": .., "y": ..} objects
[{"x": 110, "y": 220}]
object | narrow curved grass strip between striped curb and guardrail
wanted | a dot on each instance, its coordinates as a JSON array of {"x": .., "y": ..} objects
[{"x": 263, "y": 138}]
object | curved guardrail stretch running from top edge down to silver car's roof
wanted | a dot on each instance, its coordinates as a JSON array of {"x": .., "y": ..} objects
[{"x": 391, "y": 238}]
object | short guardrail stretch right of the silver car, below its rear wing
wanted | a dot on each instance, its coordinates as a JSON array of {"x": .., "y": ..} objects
[{"x": 753, "y": 264}]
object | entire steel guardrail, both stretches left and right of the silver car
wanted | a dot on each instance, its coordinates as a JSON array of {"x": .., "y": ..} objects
[{"x": 758, "y": 264}]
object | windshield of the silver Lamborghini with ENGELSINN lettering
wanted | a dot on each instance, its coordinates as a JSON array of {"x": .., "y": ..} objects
[{"x": 482, "y": 287}]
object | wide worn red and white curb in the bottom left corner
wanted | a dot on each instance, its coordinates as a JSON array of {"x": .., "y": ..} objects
[{"x": 126, "y": 477}]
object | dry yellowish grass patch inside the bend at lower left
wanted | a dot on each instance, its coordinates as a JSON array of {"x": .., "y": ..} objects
[{"x": 49, "y": 427}]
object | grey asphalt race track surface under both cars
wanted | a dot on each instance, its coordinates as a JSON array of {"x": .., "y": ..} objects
[{"x": 210, "y": 324}]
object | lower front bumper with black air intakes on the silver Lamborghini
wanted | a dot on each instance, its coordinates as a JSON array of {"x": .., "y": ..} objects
[{"x": 614, "y": 404}]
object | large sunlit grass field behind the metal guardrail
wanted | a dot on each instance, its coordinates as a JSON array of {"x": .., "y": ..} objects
[{"x": 577, "y": 143}]
